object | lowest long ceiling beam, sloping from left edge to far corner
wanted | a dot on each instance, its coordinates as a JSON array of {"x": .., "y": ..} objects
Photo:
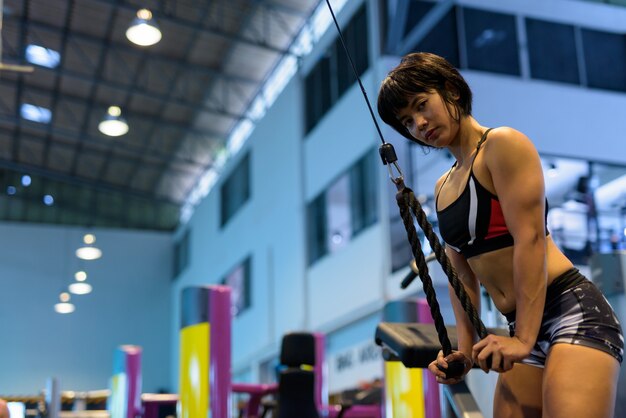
[{"x": 78, "y": 181}]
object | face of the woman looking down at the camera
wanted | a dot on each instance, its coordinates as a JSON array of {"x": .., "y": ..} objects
[{"x": 428, "y": 118}]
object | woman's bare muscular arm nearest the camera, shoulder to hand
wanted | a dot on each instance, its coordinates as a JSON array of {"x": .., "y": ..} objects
[{"x": 517, "y": 176}]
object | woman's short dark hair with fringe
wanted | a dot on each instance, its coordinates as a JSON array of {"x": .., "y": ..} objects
[{"x": 421, "y": 72}]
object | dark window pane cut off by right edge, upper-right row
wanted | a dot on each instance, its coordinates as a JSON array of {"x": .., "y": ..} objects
[{"x": 605, "y": 59}]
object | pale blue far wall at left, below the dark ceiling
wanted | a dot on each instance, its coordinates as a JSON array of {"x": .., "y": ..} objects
[{"x": 129, "y": 304}]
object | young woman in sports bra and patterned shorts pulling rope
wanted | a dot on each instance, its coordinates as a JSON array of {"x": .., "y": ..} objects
[{"x": 565, "y": 347}]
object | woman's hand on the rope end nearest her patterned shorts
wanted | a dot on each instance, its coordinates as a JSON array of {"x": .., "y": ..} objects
[{"x": 499, "y": 353}]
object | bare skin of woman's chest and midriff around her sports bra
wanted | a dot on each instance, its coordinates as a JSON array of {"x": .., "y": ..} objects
[{"x": 494, "y": 269}]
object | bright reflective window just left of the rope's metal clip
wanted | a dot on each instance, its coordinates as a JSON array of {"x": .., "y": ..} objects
[{"x": 343, "y": 210}]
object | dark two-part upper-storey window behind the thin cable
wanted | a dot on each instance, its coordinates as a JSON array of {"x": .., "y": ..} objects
[{"x": 333, "y": 75}]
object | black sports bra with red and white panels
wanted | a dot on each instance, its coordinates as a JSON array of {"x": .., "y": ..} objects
[{"x": 474, "y": 223}]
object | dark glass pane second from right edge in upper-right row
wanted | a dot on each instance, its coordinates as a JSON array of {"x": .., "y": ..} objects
[{"x": 552, "y": 51}]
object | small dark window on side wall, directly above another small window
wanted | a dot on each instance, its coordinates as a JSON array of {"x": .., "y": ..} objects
[{"x": 235, "y": 190}]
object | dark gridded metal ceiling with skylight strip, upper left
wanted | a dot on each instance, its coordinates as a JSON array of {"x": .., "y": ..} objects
[{"x": 181, "y": 98}]
